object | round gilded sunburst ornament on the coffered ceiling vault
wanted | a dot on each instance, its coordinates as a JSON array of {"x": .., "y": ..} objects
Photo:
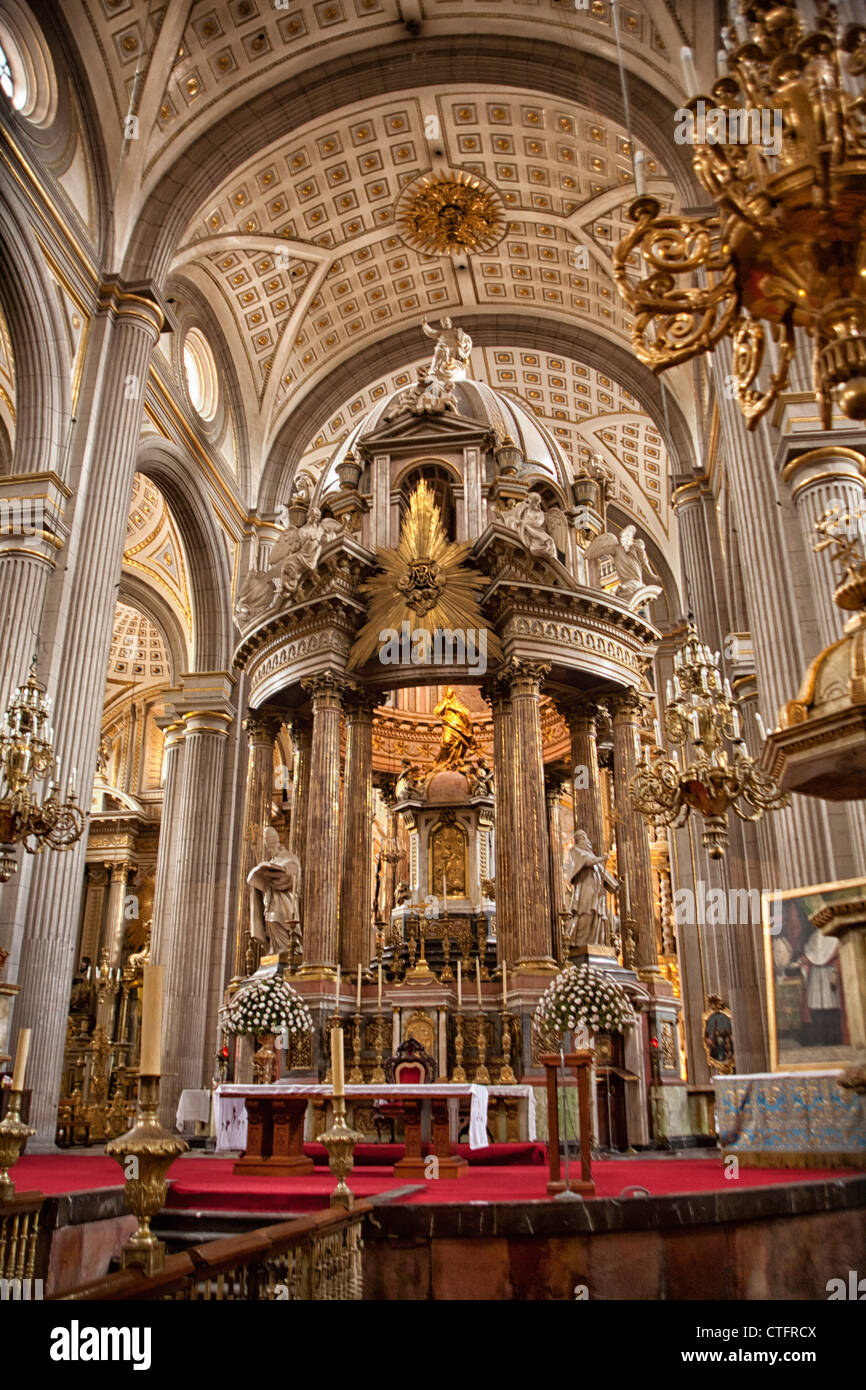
[{"x": 450, "y": 213}]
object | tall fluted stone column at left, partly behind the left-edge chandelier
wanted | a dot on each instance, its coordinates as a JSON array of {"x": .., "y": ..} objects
[{"x": 80, "y": 619}]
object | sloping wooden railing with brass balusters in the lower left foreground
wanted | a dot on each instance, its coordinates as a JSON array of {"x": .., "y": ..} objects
[{"x": 311, "y": 1259}]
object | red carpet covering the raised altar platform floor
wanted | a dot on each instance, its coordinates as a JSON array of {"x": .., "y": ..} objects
[{"x": 211, "y": 1185}]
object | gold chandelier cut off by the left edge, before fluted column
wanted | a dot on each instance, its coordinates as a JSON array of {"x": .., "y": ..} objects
[{"x": 27, "y": 757}]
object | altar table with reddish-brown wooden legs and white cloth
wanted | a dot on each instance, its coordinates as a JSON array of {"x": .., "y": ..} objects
[{"x": 268, "y": 1122}]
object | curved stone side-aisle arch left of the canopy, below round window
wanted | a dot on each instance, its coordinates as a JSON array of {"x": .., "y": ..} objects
[{"x": 211, "y": 573}]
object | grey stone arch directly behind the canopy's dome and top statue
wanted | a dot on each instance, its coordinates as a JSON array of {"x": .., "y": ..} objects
[{"x": 487, "y": 332}]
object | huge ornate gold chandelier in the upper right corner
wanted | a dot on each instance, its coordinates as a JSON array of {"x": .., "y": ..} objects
[{"x": 781, "y": 147}]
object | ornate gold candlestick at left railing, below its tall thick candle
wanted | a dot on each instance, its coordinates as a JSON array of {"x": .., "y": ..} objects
[{"x": 147, "y": 1153}]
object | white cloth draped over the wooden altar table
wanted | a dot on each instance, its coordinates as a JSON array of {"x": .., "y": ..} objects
[{"x": 231, "y": 1110}]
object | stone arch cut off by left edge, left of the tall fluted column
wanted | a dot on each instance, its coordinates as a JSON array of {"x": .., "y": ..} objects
[{"x": 41, "y": 351}]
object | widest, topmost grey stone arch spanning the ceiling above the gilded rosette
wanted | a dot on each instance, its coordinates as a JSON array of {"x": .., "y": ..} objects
[{"x": 437, "y": 60}]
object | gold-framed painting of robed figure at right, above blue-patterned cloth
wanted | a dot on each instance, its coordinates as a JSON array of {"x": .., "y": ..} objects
[{"x": 808, "y": 1013}]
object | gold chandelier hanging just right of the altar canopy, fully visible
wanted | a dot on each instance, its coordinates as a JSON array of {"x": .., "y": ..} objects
[{"x": 703, "y": 711}]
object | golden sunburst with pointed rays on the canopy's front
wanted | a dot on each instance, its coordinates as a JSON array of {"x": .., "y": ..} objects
[{"x": 425, "y": 583}]
